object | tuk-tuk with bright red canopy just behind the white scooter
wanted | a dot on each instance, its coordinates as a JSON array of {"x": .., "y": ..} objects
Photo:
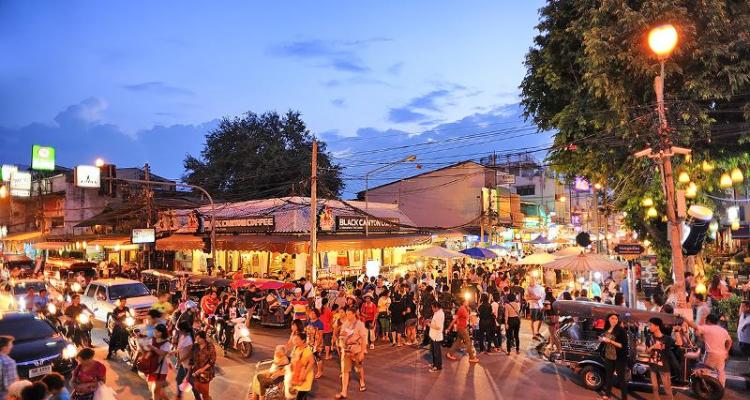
[{"x": 269, "y": 312}]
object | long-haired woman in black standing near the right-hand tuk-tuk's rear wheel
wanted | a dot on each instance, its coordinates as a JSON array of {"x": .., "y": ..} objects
[{"x": 615, "y": 343}]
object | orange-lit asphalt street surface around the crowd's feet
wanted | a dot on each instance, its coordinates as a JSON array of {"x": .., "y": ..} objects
[{"x": 392, "y": 373}]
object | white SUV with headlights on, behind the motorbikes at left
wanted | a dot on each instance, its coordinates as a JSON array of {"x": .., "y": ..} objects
[{"x": 101, "y": 297}]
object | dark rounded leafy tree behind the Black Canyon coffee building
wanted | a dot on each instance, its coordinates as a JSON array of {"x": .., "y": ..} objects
[{"x": 261, "y": 156}]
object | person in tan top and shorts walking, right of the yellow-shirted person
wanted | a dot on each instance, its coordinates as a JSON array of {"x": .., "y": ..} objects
[{"x": 353, "y": 348}]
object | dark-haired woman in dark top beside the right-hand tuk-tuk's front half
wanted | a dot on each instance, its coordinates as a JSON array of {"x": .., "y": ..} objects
[{"x": 661, "y": 359}]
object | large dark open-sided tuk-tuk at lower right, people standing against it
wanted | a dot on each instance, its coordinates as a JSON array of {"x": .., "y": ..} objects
[{"x": 581, "y": 324}]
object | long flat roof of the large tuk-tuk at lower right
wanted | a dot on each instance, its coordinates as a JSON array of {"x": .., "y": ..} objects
[{"x": 589, "y": 309}]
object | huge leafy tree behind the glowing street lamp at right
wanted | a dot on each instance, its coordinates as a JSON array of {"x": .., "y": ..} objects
[{"x": 590, "y": 79}]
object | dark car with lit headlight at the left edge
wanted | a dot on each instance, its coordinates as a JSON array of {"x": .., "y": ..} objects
[{"x": 38, "y": 348}]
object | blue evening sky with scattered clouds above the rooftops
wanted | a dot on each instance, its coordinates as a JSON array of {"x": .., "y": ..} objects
[{"x": 140, "y": 81}]
